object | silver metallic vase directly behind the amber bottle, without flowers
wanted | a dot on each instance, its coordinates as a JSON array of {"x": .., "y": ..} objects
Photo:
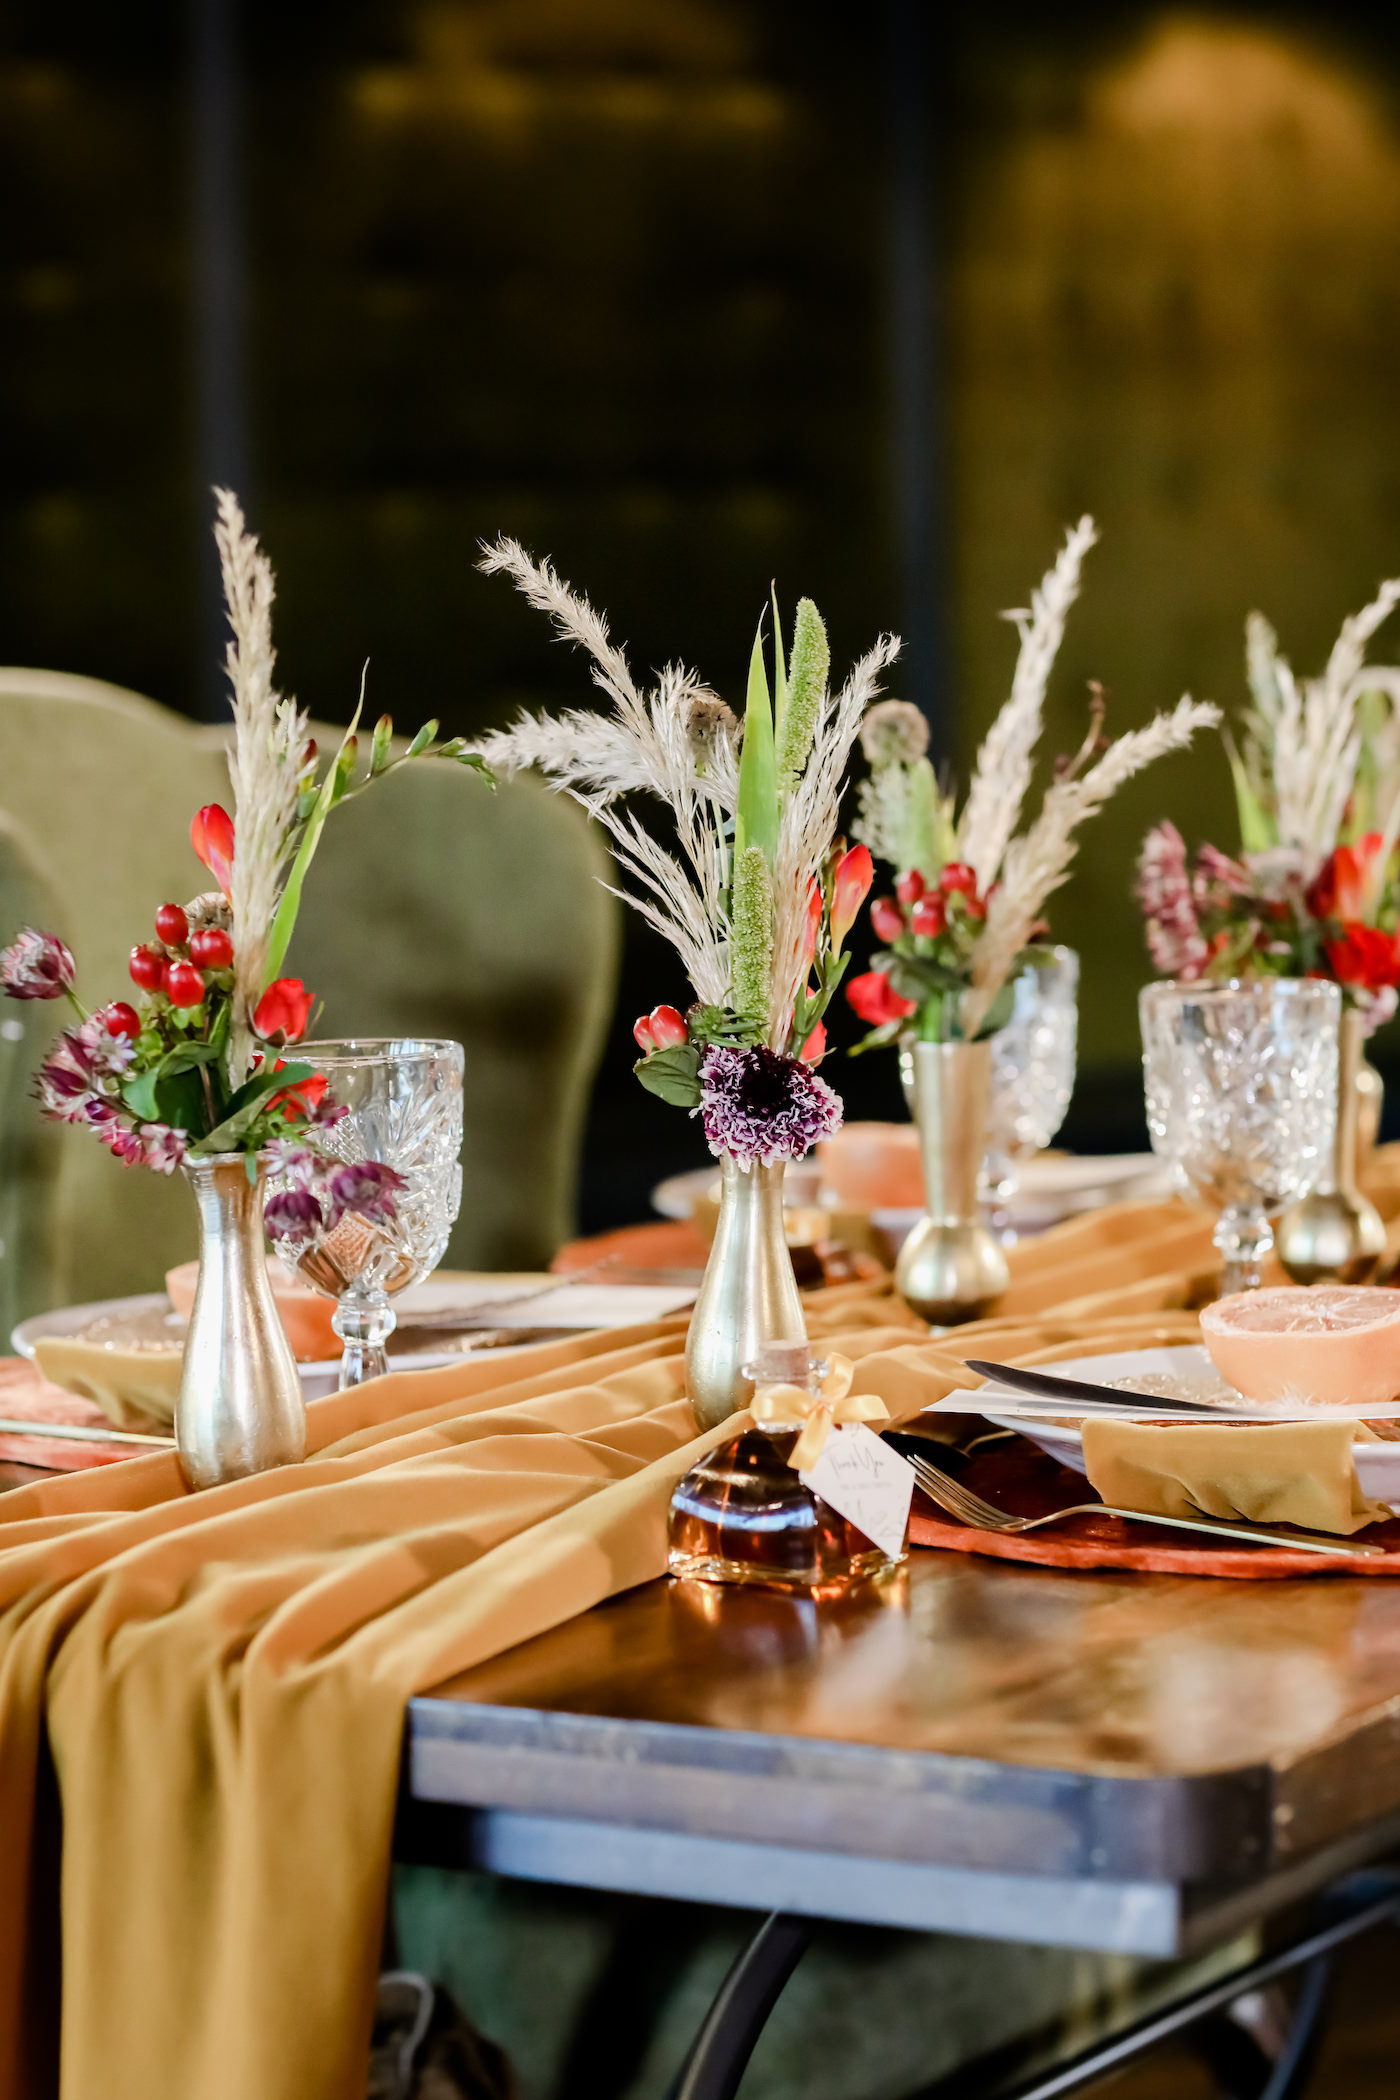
[{"x": 750, "y": 1295}]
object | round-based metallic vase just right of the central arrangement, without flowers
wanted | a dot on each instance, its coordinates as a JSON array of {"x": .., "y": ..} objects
[{"x": 952, "y": 1265}]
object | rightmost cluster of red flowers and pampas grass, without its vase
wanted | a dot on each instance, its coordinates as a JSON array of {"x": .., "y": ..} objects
[{"x": 1313, "y": 889}]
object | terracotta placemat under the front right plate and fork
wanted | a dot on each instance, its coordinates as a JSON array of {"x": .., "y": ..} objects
[{"x": 1030, "y": 1484}]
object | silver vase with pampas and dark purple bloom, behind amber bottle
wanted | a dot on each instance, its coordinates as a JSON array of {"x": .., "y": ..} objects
[{"x": 757, "y": 896}]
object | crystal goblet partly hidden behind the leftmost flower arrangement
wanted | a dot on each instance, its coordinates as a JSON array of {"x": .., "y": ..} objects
[{"x": 404, "y": 1108}]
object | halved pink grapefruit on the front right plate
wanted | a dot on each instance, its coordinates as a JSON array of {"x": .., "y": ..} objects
[{"x": 1328, "y": 1345}]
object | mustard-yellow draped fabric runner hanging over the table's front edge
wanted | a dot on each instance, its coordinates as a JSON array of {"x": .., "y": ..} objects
[{"x": 221, "y": 1679}]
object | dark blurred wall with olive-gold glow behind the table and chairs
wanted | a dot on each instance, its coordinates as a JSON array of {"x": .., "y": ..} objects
[{"x": 694, "y": 295}]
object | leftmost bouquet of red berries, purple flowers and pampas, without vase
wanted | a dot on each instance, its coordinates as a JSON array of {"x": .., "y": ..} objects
[{"x": 192, "y": 1066}]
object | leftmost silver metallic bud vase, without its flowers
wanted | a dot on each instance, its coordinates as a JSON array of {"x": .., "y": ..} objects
[{"x": 240, "y": 1404}]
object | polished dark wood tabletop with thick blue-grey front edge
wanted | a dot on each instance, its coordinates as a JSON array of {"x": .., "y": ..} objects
[{"x": 1116, "y": 1761}]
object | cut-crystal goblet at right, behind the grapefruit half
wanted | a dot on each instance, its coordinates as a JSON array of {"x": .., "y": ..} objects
[{"x": 1242, "y": 1087}]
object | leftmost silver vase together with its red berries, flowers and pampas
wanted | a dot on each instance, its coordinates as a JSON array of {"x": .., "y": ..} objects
[{"x": 190, "y": 1072}]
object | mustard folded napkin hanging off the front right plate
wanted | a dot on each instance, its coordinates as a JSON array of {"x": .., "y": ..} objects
[{"x": 1269, "y": 1473}]
